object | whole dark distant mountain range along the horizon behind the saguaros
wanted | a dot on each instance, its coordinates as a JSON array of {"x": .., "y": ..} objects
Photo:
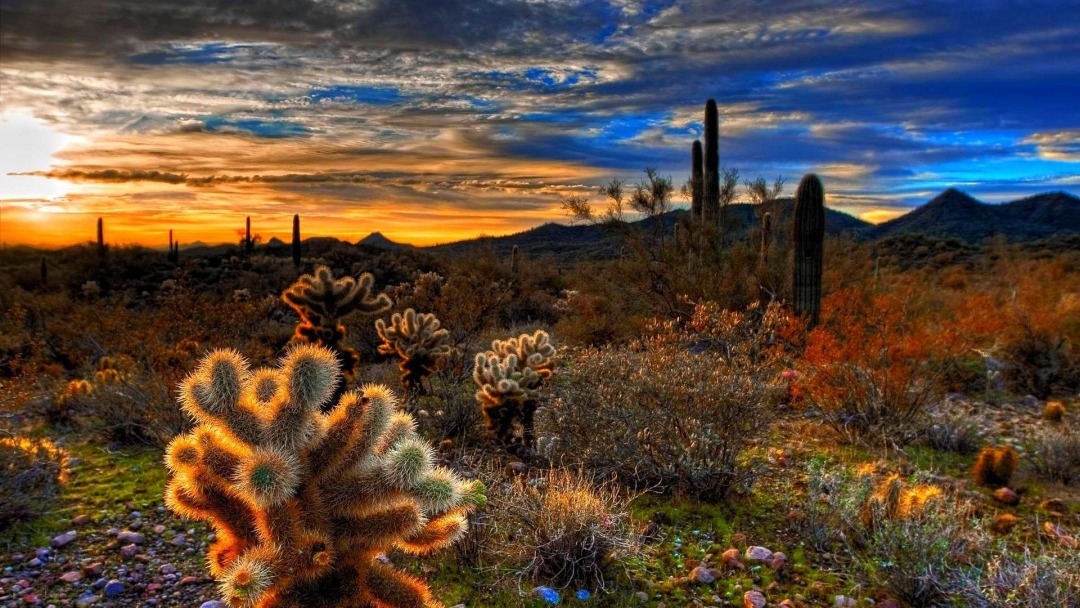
[{"x": 953, "y": 214}]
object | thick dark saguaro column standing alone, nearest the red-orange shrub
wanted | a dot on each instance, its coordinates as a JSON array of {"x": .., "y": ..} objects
[{"x": 808, "y": 241}]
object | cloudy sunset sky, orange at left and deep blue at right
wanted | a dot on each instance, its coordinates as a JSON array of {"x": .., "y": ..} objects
[{"x": 435, "y": 121}]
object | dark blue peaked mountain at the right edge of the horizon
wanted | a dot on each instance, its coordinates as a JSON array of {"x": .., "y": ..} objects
[{"x": 957, "y": 214}]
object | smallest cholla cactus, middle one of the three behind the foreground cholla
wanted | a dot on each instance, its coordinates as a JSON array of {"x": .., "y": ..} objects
[{"x": 418, "y": 341}]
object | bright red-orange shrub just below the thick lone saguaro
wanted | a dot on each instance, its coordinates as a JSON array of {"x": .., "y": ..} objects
[{"x": 879, "y": 361}]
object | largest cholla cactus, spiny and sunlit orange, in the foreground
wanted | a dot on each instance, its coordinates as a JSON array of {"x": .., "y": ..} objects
[{"x": 304, "y": 503}]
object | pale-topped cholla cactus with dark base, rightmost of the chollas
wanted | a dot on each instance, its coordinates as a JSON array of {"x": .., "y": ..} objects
[{"x": 510, "y": 377}]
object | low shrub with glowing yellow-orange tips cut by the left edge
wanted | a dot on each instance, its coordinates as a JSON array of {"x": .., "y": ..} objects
[{"x": 31, "y": 471}]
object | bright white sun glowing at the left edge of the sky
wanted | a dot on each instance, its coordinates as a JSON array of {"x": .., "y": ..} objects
[{"x": 28, "y": 145}]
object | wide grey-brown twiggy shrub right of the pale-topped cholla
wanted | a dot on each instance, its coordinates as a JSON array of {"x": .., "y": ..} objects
[{"x": 678, "y": 412}]
